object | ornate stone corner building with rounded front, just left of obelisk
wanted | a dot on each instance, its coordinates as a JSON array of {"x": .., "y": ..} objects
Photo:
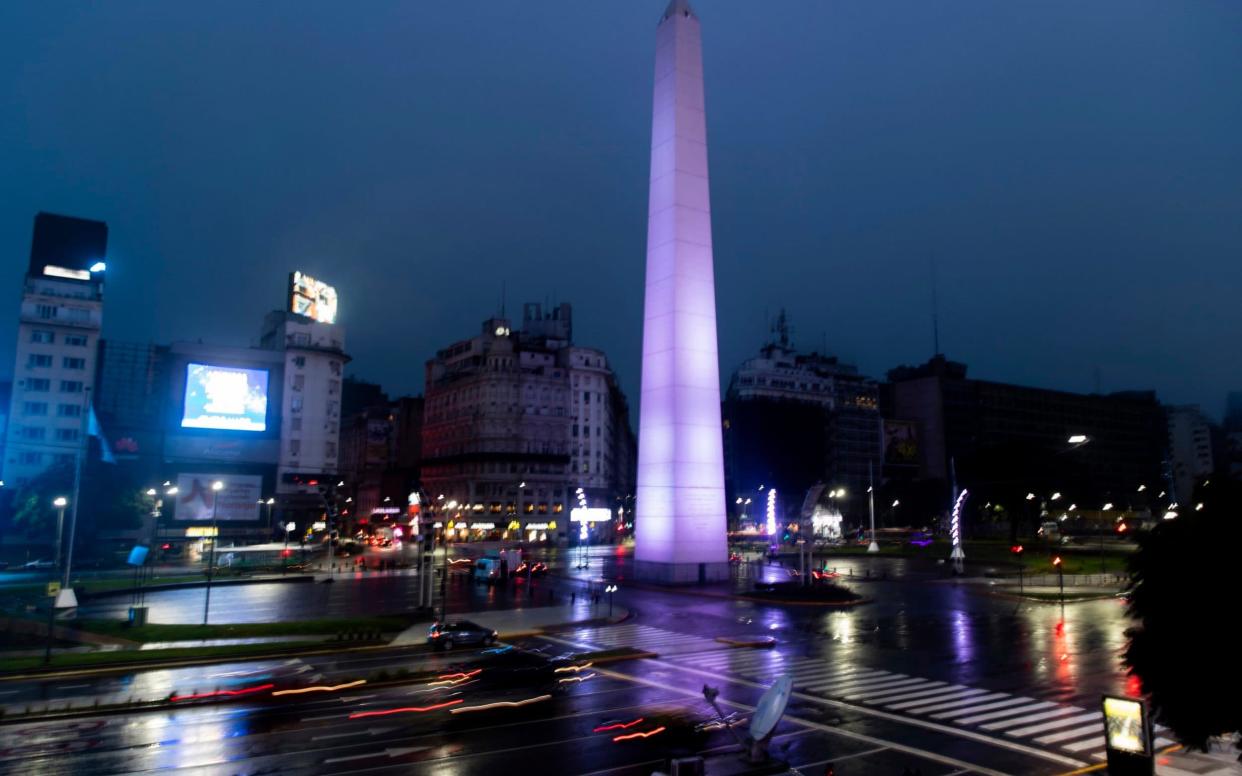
[{"x": 521, "y": 428}]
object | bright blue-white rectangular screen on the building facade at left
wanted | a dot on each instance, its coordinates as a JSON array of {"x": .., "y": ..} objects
[{"x": 225, "y": 398}]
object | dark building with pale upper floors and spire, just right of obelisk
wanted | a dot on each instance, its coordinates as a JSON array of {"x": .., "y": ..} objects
[{"x": 794, "y": 420}]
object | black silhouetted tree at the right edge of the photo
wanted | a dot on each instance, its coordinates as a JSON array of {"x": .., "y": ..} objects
[{"x": 1183, "y": 598}]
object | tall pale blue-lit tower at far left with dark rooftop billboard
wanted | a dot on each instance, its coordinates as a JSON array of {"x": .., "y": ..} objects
[{"x": 58, "y": 337}]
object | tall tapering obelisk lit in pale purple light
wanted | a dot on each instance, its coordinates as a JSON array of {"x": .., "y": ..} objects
[{"x": 681, "y": 520}]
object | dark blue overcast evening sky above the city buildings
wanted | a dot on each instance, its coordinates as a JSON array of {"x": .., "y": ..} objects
[{"x": 1075, "y": 169}]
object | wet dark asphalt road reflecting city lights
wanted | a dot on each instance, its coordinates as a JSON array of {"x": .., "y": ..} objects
[{"x": 928, "y": 675}]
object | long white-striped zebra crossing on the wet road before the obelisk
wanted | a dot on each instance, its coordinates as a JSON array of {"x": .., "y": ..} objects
[{"x": 1043, "y": 723}]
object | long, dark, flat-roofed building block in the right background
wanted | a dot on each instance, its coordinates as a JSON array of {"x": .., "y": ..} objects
[{"x": 1009, "y": 440}]
